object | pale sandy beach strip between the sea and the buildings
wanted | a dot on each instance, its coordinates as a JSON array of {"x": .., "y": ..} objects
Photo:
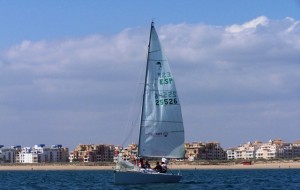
[{"x": 172, "y": 166}]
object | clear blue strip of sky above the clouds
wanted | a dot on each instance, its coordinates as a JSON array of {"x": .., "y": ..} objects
[{"x": 38, "y": 20}]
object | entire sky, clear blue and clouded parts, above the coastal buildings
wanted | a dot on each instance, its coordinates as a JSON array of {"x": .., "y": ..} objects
[{"x": 71, "y": 70}]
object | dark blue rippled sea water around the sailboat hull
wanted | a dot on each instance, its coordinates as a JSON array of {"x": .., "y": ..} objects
[{"x": 192, "y": 179}]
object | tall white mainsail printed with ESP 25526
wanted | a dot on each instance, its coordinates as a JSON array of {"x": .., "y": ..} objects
[{"x": 161, "y": 129}]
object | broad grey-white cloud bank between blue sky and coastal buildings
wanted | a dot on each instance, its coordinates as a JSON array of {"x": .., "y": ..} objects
[{"x": 236, "y": 83}]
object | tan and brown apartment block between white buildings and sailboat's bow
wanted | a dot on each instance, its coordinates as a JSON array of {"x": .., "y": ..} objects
[{"x": 92, "y": 153}]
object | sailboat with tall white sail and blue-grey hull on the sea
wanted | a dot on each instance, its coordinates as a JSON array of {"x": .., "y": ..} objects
[{"x": 161, "y": 132}]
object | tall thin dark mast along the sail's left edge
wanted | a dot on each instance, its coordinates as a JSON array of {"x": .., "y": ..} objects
[{"x": 145, "y": 83}]
